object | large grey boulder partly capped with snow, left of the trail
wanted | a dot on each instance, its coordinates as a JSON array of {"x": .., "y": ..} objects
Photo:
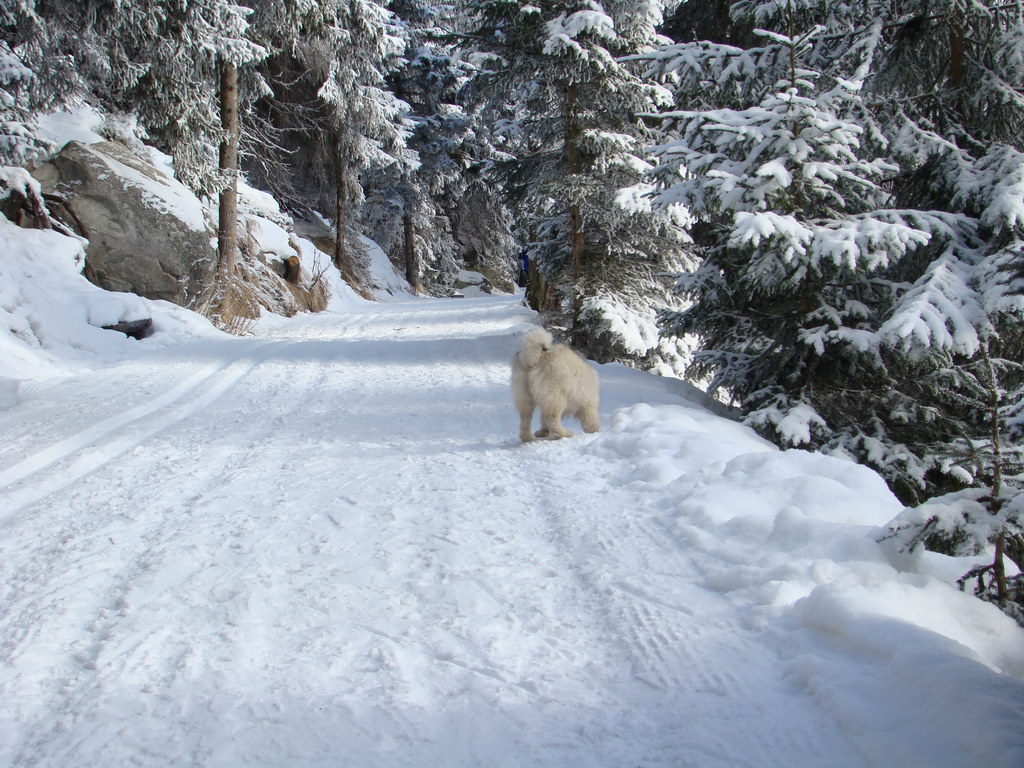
[{"x": 148, "y": 234}]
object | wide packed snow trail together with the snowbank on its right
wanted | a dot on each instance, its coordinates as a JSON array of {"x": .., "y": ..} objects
[{"x": 326, "y": 547}]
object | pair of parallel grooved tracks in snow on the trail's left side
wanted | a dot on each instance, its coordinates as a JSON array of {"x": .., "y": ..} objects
[{"x": 93, "y": 455}]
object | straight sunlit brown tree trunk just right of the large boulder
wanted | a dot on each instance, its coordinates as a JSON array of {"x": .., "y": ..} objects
[{"x": 228, "y": 238}]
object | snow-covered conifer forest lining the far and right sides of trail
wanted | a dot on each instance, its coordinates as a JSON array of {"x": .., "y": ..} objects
[{"x": 814, "y": 208}]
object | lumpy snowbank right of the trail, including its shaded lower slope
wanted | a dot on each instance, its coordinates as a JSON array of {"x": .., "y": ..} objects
[{"x": 790, "y": 537}]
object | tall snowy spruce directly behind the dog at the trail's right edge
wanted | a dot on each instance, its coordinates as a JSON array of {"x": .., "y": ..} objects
[{"x": 568, "y": 110}]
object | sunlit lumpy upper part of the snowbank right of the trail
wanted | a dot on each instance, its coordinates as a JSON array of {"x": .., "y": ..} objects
[{"x": 802, "y": 531}]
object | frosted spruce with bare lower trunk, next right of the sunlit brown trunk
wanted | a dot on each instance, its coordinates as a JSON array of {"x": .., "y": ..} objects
[{"x": 329, "y": 121}]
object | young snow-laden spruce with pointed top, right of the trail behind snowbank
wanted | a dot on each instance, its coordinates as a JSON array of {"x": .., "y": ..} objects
[{"x": 795, "y": 216}]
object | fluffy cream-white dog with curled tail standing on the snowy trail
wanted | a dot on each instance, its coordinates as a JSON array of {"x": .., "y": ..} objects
[{"x": 558, "y": 380}]
